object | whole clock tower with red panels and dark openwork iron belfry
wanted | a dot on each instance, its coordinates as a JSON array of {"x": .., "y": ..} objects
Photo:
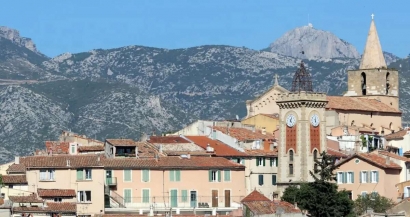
[{"x": 302, "y": 130}]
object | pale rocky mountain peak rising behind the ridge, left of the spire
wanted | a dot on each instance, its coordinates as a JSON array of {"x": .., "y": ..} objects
[{"x": 314, "y": 43}]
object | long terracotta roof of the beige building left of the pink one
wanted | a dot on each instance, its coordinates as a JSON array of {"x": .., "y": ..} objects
[{"x": 59, "y": 161}]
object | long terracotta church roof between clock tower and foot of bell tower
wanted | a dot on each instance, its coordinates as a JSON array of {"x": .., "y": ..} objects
[{"x": 358, "y": 104}]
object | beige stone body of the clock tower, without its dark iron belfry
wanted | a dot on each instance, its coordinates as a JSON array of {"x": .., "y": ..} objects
[{"x": 302, "y": 106}]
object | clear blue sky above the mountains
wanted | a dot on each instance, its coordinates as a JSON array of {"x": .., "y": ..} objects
[{"x": 77, "y": 26}]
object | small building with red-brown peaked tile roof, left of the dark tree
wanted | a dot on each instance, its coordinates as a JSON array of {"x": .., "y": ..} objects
[{"x": 256, "y": 204}]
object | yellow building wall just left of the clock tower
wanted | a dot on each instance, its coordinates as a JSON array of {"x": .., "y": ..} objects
[{"x": 268, "y": 121}]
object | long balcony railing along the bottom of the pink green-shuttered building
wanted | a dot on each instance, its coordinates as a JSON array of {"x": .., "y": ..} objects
[{"x": 160, "y": 202}]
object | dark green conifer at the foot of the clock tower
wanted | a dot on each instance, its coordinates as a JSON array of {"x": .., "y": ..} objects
[{"x": 321, "y": 197}]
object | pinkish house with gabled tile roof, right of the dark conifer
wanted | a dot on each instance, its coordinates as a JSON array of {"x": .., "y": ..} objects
[{"x": 365, "y": 173}]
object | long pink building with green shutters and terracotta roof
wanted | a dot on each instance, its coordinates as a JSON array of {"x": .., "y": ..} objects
[{"x": 177, "y": 183}]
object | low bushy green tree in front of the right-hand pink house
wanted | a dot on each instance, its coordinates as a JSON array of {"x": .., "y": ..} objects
[{"x": 374, "y": 201}]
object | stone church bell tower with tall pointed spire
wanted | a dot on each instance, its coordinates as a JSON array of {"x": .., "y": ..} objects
[{"x": 373, "y": 80}]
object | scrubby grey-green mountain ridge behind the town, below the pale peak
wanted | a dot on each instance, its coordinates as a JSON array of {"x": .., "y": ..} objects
[{"x": 126, "y": 91}]
